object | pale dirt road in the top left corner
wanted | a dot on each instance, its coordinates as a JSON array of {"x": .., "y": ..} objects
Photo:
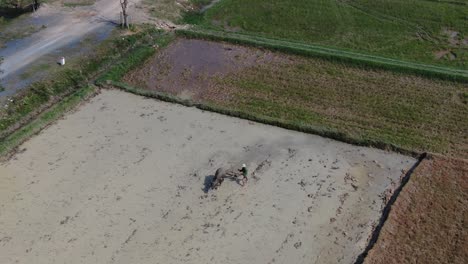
[{"x": 72, "y": 25}]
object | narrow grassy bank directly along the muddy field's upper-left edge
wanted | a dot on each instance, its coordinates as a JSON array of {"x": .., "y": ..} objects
[{"x": 45, "y": 119}]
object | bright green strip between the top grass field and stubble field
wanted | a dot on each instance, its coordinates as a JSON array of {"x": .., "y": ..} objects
[{"x": 329, "y": 54}]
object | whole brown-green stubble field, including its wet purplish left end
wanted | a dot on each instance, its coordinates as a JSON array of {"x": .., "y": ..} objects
[{"x": 367, "y": 105}]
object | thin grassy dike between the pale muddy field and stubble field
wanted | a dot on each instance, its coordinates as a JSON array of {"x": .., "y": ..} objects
[{"x": 301, "y": 127}]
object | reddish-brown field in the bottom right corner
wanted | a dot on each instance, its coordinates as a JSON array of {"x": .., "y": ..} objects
[{"x": 429, "y": 221}]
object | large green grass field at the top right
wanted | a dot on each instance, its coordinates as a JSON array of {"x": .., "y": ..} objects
[{"x": 433, "y": 32}]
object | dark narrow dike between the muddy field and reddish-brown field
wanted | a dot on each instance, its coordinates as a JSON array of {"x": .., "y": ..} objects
[{"x": 386, "y": 211}]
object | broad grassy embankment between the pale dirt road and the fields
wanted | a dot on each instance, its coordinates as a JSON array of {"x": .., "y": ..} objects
[{"x": 73, "y": 82}]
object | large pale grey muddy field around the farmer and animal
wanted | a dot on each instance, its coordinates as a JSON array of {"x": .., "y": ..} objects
[{"x": 123, "y": 180}]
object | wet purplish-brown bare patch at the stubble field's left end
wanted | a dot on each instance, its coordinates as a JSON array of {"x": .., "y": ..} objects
[{"x": 189, "y": 67}]
